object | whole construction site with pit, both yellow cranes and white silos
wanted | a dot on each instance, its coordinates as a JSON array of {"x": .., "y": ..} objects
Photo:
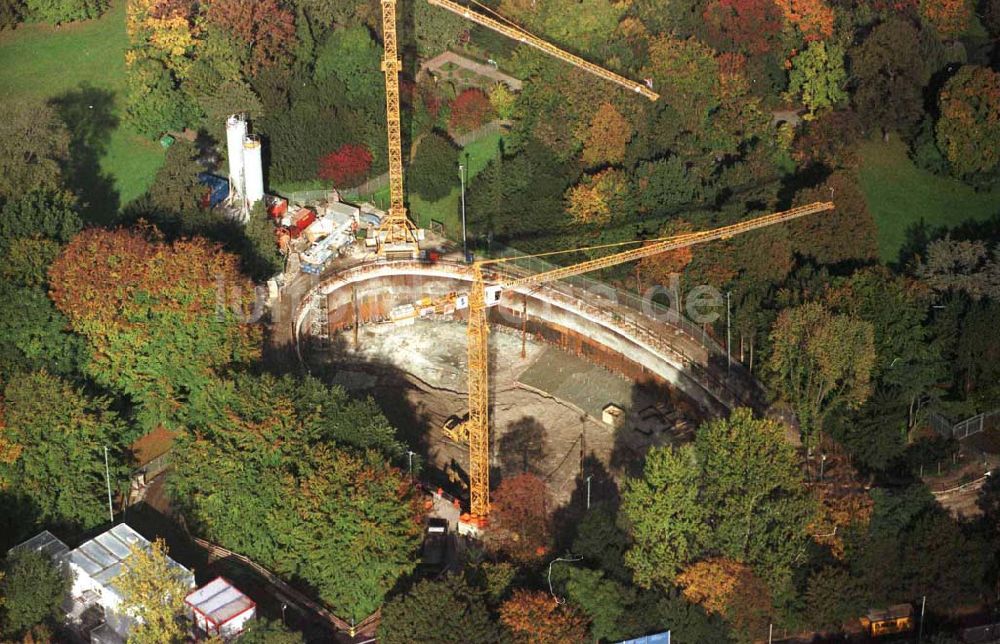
[{"x": 491, "y": 365}]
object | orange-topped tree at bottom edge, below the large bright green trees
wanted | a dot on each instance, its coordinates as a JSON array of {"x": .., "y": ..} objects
[{"x": 731, "y": 589}]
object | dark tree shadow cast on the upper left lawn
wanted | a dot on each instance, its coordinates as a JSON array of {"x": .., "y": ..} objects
[{"x": 88, "y": 113}]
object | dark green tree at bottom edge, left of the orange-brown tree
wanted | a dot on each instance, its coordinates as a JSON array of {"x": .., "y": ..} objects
[{"x": 445, "y": 611}]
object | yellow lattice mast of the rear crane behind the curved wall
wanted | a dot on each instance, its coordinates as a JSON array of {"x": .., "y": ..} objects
[{"x": 397, "y": 233}]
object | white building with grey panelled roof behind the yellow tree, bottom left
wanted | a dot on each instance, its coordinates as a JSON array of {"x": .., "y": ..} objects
[{"x": 95, "y": 566}]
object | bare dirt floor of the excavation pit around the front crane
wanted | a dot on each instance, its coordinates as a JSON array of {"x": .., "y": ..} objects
[{"x": 545, "y": 407}]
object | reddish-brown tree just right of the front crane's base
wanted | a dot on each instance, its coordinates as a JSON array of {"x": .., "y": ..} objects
[{"x": 520, "y": 511}]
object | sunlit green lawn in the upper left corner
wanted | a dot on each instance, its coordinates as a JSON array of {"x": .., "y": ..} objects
[{"x": 43, "y": 62}]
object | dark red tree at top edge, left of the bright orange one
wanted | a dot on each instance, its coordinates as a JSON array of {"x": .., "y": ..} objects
[{"x": 749, "y": 26}]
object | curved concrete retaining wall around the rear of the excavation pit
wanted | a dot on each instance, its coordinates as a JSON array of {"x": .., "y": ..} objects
[{"x": 616, "y": 336}]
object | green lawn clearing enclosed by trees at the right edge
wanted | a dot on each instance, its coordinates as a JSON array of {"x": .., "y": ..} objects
[{"x": 900, "y": 194}]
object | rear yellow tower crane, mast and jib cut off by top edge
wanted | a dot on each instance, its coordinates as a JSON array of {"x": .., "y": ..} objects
[{"x": 397, "y": 236}]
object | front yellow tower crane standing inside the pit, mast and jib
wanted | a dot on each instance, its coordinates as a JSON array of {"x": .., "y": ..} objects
[{"x": 487, "y": 291}]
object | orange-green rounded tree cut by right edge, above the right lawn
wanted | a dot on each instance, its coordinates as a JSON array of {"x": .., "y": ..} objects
[{"x": 968, "y": 130}]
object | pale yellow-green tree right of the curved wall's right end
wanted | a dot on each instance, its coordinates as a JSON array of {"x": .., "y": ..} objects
[{"x": 821, "y": 362}]
